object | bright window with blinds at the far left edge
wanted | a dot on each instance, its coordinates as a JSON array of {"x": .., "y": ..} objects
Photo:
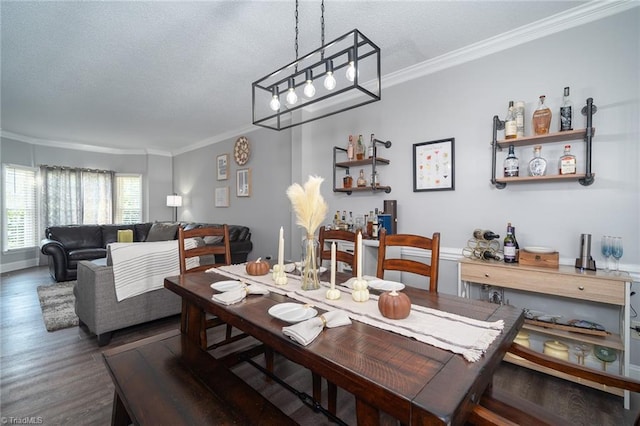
[{"x": 20, "y": 208}]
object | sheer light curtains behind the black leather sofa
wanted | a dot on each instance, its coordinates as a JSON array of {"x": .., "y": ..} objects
[{"x": 75, "y": 196}]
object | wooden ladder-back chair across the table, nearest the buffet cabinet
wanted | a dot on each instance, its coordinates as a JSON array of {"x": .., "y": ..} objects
[{"x": 387, "y": 263}]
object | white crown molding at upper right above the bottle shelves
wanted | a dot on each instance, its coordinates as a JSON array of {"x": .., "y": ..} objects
[{"x": 562, "y": 21}]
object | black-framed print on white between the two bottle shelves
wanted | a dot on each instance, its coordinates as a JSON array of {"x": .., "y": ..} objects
[{"x": 434, "y": 165}]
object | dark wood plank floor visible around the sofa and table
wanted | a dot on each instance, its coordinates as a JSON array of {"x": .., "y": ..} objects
[{"x": 60, "y": 376}]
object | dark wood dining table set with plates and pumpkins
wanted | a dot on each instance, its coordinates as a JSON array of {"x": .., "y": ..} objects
[{"x": 415, "y": 382}]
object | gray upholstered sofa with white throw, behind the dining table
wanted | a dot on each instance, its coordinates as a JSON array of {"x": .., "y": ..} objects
[{"x": 98, "y": 309}]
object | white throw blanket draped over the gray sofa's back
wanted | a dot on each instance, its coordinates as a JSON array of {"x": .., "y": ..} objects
[{"x": 142, "y": 267}]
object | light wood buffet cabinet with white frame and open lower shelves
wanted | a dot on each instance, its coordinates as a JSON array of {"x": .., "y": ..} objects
[{"x": 567, "y": 282}]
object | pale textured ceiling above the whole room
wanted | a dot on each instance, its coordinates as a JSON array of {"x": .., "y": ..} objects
[{"x": 166, "y": 75}]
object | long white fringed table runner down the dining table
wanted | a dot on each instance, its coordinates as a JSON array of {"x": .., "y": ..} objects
[{"x": 455, "y": 333}]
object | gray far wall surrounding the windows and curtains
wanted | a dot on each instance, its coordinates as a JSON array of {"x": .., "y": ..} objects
[{"x": 156, "y": 186}]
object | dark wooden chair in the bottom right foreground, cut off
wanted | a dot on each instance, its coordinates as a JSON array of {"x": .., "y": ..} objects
[{"x": 497, "y": 407}]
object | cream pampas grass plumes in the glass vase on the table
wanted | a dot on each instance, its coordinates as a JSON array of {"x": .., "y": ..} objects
[{"x": 308, "y": 204}]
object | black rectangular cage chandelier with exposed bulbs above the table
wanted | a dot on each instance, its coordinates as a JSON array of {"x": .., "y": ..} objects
[{"x": 341, "y": 75}]
